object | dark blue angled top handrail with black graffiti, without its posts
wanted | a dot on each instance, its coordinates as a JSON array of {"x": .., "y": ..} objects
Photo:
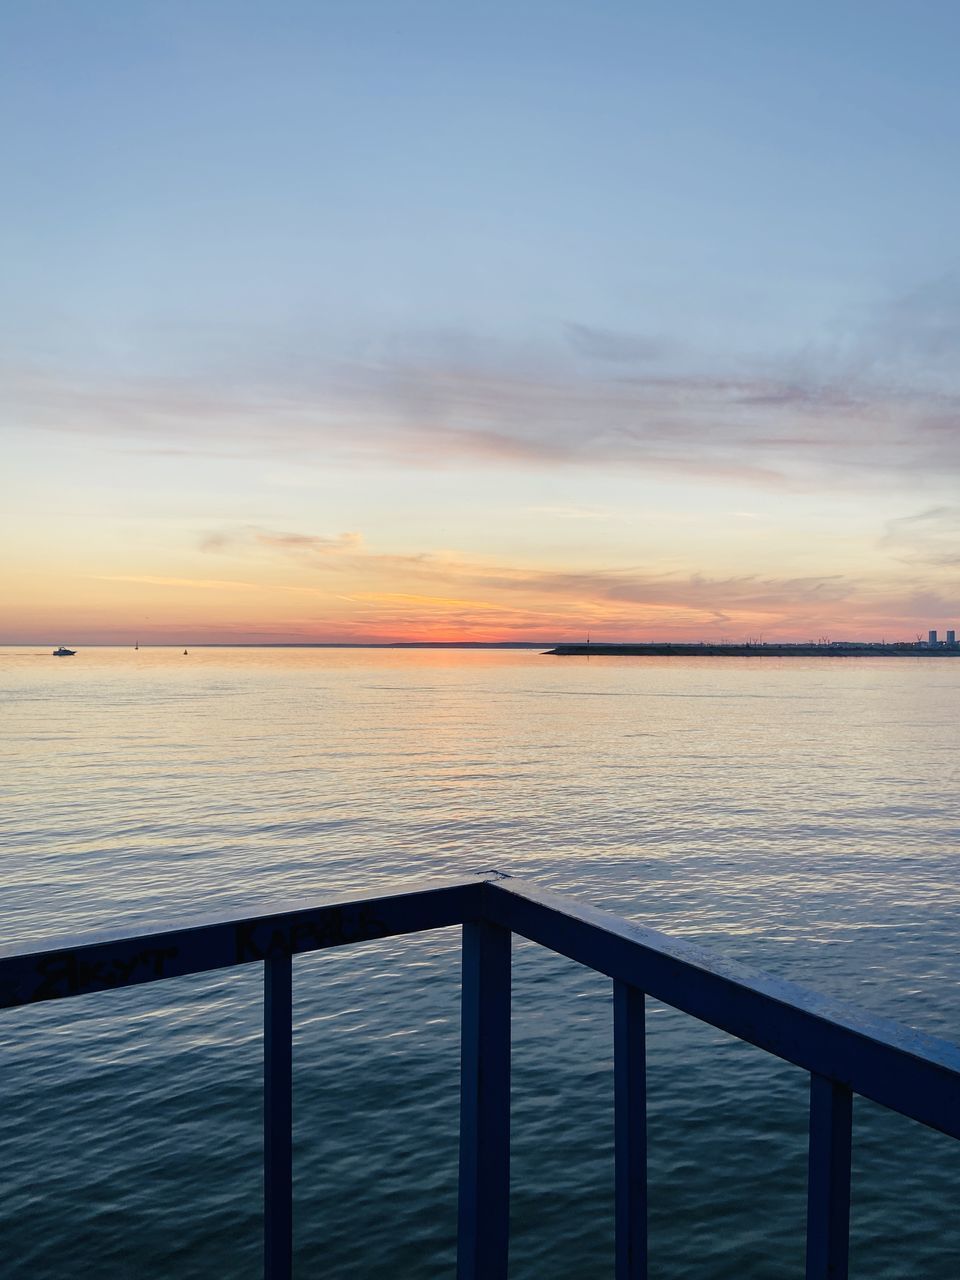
[{"x": 812, "y": 1031}]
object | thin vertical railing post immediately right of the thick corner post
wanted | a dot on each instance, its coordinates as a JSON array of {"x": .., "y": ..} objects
[{"x": 630, "y": 1131}]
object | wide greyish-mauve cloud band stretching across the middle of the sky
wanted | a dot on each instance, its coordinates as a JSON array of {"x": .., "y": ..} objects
[{"x": 821, "y": 422}]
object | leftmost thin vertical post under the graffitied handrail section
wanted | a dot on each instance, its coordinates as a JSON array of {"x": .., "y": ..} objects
[{"x": 278, "y": 1118}]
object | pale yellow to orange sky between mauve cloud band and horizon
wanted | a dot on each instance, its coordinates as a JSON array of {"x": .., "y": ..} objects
[{"x": 479, "y": 556}]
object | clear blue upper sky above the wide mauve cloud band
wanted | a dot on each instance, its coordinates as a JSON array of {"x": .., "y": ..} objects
[{"x": 730, "y": 175}]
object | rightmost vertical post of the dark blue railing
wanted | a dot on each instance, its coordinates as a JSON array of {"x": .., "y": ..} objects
[{"x": 829, "y": 1186}]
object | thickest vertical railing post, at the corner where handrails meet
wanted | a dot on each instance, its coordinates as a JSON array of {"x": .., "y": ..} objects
[{"x": 483, "y": 1233}]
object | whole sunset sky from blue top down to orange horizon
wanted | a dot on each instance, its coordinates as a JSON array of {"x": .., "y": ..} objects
[{"x": 372, "y": 321}]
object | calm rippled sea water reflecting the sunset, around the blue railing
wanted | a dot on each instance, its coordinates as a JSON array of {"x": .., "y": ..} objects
[{"x": 801, "y": 816}]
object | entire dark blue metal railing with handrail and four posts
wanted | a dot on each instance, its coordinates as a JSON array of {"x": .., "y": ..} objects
[{"x": 844, "y": 1050}]
